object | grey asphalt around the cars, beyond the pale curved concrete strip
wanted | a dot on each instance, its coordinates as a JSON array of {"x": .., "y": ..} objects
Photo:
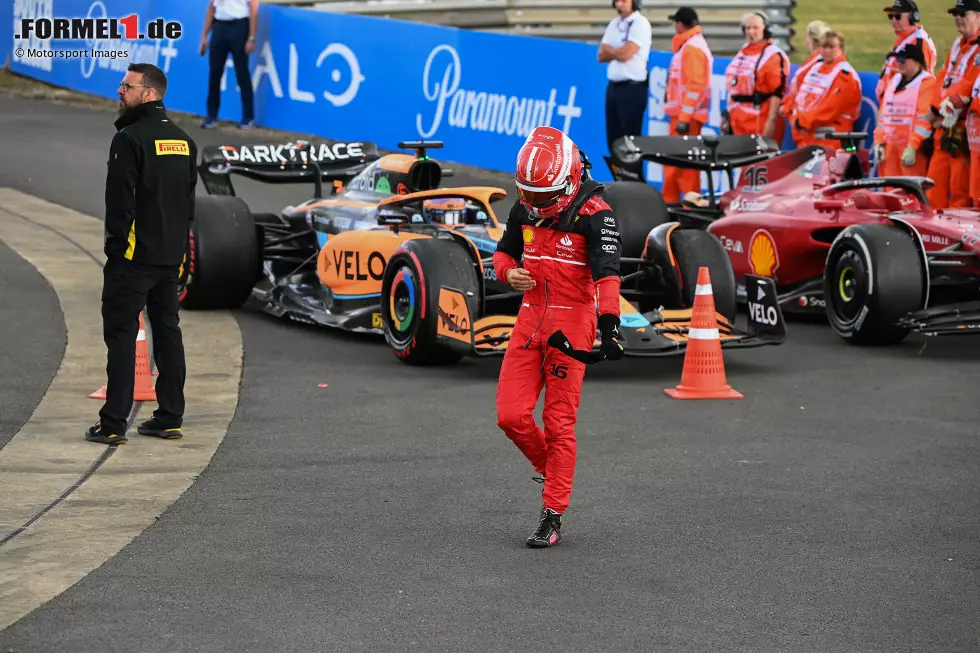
[{"x": 835, "y": 508}]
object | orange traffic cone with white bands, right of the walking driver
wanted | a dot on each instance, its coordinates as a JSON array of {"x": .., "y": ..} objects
[{"x": 704, "y": 365}]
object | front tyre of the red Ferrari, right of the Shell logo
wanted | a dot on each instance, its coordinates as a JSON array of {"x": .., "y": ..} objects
[{"x": 873, "y": 278}]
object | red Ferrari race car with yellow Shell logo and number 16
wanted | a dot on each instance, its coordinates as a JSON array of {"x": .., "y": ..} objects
[{"x": 870, "y": 252}]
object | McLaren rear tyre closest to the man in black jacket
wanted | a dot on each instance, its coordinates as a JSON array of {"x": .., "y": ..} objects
[{"x": 224, "y": 255}]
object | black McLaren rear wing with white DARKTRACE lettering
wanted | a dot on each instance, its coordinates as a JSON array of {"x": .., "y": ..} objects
[{"x": 284, "y": 163}]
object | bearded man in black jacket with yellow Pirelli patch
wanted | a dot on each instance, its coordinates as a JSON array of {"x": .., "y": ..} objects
[{"x": 149, "y": 198}]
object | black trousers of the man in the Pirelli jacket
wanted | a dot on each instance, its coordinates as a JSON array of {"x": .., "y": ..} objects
[{"x": 127, "y": 288}]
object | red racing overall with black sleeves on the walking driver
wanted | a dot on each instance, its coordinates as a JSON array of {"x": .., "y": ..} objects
[{"x": 574, "y": 260}]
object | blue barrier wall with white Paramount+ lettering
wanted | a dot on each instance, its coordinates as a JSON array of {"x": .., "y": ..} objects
[{"x": 357, "y": 77}]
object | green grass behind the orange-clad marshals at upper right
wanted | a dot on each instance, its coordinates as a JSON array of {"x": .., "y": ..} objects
[{"x": 865, "y": 26}]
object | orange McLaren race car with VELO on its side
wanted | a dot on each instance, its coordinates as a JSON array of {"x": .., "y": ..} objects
[{"x": 390, "y": 250}]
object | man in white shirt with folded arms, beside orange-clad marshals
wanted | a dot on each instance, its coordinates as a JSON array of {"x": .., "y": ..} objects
[{"x": 625, "y": 47}]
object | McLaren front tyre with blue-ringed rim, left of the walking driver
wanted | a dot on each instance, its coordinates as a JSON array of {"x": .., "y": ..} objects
[{"x": 411, "y": 301}]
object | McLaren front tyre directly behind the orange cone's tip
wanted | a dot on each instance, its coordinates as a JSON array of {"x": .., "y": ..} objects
[{"x": 694, "y": 249}]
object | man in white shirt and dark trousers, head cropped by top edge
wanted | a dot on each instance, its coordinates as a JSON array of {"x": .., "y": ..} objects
[{"x": 232, "y": 24}]
